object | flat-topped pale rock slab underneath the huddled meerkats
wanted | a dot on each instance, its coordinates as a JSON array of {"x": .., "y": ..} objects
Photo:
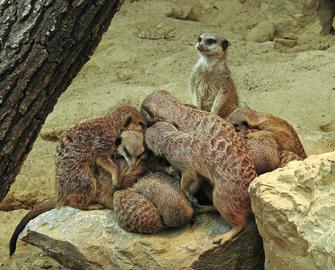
[{"x": 92, "y": 240}]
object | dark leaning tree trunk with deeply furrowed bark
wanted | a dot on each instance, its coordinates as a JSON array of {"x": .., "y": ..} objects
[{"x": 43, "y": 45}]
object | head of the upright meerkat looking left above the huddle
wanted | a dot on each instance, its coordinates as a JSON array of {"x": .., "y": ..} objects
[{"x": 211, "y": 44}]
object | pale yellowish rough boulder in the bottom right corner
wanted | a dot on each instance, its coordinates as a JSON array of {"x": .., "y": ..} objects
[{"x": 295, "y": 213}]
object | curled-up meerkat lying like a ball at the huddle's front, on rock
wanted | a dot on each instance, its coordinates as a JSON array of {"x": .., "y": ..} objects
[{"x": 154, "y": 202}]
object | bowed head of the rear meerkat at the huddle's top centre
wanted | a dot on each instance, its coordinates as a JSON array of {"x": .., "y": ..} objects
[{"x": 156, "y": 105}]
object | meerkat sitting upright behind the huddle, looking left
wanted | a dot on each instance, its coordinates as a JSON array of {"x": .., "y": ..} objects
[{"x": 211, "y": 85}]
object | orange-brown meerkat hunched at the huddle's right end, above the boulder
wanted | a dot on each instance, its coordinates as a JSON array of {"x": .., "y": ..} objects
[{"x": 268, "y": 125}]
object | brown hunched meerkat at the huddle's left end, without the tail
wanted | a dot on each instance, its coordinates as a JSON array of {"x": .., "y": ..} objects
[{"x": 93, "y": 143}]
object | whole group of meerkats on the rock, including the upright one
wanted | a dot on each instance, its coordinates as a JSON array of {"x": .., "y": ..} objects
[{"x": 214, "y": 144}]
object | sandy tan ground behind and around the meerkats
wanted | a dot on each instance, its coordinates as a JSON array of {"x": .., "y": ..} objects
[{"x": 145, "y": 50}]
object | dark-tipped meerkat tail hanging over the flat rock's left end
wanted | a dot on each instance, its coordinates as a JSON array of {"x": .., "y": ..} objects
[{"x": 36, "y": 211}]
